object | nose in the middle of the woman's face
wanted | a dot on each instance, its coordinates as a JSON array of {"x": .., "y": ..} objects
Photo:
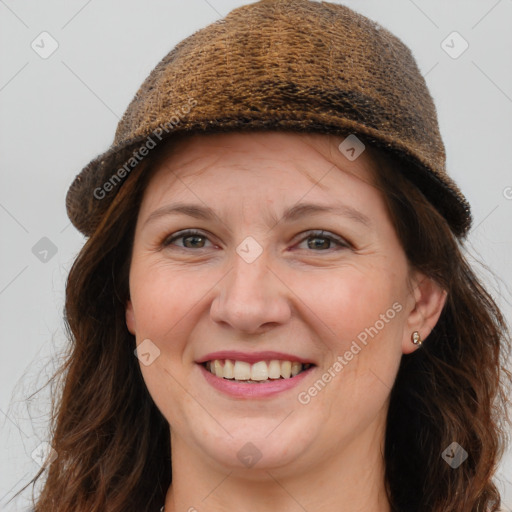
[{"x": 252, "y": 297}]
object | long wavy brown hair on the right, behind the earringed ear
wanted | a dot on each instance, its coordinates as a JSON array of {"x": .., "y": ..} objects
[{"x": 456, "y": 388}]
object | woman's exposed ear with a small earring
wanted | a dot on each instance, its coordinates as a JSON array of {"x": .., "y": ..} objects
[{"x": 427, "y": 303}]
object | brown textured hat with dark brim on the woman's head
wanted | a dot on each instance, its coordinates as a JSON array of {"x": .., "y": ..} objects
[{"x": 296, "y": 65}]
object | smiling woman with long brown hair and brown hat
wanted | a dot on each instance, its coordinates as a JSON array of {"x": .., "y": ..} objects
[{"x": 272, "y": 310}]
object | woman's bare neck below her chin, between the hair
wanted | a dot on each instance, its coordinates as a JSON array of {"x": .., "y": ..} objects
[{"x": 352, "y": 479}]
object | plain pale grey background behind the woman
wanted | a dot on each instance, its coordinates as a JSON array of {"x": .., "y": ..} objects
[{"x": 60, "y": 112}]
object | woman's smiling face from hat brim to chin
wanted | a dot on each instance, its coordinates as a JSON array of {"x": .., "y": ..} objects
[{"x": 258, "y": 281}]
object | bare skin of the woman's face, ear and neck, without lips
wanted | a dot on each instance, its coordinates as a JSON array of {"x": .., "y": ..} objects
[{"x": 303, "y": 295}]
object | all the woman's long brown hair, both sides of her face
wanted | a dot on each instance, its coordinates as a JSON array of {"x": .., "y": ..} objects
[{"x": 113, "y": 444}]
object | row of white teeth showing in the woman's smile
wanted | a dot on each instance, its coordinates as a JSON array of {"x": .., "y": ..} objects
[{"x": 257, "y": 372}]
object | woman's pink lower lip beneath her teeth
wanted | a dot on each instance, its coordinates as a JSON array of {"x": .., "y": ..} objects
[{"x": 238, "y": 389}]
